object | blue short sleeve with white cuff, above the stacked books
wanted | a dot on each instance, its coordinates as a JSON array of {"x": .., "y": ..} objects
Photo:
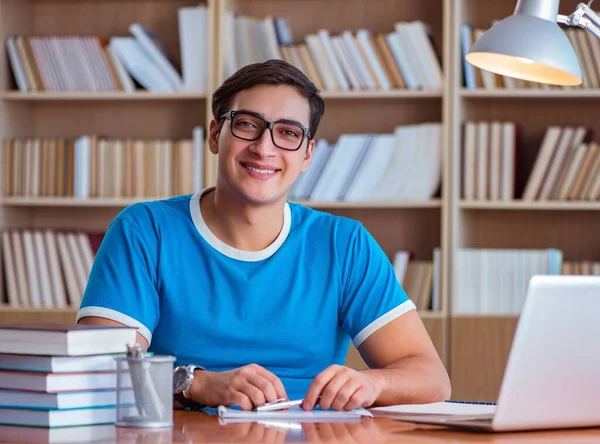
[{"x": 122, "y": 282}]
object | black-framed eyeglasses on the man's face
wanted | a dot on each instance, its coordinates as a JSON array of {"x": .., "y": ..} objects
[{"x": 247, "y": 125}]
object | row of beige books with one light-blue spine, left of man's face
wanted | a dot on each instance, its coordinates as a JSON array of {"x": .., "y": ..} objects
[{"x": 102, "y": 167}]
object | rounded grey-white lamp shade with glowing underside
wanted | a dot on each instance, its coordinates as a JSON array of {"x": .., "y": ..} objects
[{"x": 527, "y": 47}]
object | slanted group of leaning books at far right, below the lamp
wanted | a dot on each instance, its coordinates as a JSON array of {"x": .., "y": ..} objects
[{"x": 567, "y": 166}]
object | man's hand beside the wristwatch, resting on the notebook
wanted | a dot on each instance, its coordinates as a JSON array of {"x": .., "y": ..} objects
[{"x": 248, "y": 387}]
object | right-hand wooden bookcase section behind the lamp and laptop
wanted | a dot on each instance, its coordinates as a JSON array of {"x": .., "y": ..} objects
[{"x": 479, "y": 343}]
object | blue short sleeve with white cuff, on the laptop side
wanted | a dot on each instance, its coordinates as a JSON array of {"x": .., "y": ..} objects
[{"x": 372, "y": 295}]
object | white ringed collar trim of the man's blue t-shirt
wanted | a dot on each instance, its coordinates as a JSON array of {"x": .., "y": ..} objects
[{"x": 234, "y": 253}]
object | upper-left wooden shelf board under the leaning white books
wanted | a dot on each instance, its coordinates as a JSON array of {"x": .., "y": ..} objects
[{"x": 99, "y": 96}]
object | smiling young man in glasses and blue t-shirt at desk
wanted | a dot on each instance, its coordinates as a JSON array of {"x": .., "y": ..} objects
[{"x": 262, "y": 293}]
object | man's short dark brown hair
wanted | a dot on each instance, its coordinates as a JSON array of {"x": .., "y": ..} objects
[{"x": 271, "y": 72}]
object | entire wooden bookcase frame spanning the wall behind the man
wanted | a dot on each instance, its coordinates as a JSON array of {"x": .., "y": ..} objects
[{"x": 473, "y": 347}]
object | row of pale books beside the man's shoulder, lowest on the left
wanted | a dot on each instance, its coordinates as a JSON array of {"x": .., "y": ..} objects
[{"x": 44, "y": 268}]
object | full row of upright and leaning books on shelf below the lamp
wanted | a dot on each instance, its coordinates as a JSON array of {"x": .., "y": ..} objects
[{"x": 566, "y": 168}]
